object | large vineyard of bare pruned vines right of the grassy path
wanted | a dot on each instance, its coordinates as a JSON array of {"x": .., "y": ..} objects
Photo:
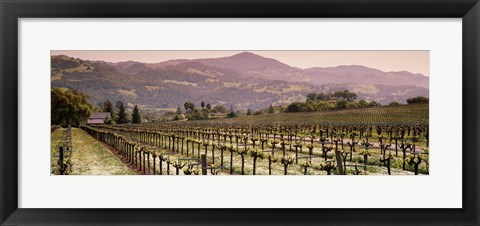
[{"x": 376, "y": 141}]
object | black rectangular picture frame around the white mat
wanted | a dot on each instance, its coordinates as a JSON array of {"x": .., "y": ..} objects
[{"x": 12, "y": 10}]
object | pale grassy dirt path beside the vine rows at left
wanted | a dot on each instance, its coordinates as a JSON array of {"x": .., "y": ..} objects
[{"x": 90, "y": 157}]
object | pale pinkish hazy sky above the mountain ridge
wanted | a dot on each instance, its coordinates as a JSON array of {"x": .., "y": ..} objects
[{"x": 413, "y": 61}]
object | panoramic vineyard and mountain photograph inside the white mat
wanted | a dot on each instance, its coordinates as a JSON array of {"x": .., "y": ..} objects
[{"x": 242, "y": 112}]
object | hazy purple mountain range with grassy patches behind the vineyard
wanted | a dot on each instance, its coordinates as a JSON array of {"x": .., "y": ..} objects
[{"x": 244, "y": 80}]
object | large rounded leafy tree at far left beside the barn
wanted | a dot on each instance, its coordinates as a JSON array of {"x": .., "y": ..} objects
[{"x": 69, "y": 107}]
